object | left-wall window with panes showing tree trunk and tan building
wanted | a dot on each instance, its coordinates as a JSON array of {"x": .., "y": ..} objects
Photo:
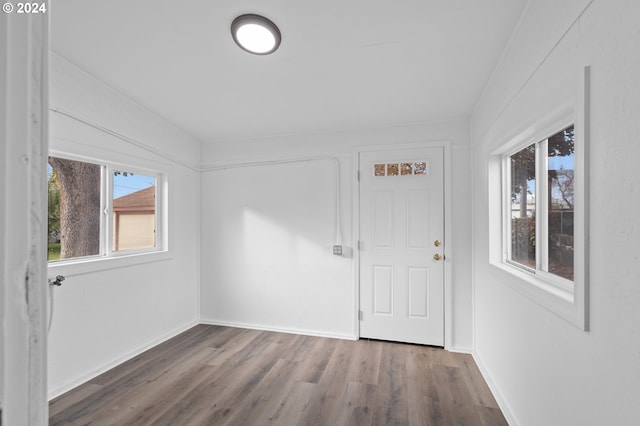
[{"x": 97, "y": 209}]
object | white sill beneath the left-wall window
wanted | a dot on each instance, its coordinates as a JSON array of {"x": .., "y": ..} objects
[{"x": 96, "y": 264}]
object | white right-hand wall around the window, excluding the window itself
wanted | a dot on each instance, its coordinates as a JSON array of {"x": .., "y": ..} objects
[{"x": 544, "y": 370}]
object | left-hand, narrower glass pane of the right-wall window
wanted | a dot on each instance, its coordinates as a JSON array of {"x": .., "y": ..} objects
[{"x": 523, "y": 207}]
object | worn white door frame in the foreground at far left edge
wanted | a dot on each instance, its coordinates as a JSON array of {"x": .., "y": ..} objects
[{"x": 24, "y": 112}]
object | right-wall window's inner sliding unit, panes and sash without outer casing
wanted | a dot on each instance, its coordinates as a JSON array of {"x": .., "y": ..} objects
[{"x": 540, "y": 203}]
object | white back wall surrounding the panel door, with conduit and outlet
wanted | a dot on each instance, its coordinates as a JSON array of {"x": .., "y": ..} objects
[{"x": 267, "y": 231}]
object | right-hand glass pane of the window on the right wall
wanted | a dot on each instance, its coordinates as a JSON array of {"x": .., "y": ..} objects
[{"x": 560, "y": 163}]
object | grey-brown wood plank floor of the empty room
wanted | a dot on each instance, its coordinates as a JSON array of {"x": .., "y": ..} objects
[{"x": 212, "y": 375}]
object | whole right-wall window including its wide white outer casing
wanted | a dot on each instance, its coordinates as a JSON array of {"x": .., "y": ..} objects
[{"x": 538, "y": 207}]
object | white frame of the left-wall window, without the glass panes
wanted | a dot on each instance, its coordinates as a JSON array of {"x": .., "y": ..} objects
[{"x": 107, "y": 258}]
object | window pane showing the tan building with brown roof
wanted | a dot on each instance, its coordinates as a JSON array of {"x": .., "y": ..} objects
[{"x": 134, "y": 211}]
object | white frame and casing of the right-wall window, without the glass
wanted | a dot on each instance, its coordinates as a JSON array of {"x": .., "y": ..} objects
[{"x": 568, "y": 300}]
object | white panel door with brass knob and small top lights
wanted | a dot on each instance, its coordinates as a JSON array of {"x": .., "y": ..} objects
[{"x": 401, "y": 245}]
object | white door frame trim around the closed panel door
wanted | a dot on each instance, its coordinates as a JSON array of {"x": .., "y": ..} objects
[{"x": 448, "y": 290}]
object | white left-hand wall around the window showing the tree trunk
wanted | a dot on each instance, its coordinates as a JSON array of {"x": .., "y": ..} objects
[{"x": 102, "y": 318}]
